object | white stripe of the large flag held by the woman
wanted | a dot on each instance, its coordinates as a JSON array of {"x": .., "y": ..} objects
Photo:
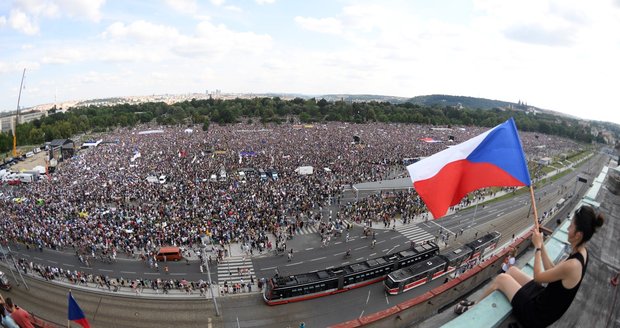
[{"x": 430, "y": 166}]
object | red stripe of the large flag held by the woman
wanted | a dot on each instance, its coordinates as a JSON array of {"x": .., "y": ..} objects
[{"x": 457, "y": 179}]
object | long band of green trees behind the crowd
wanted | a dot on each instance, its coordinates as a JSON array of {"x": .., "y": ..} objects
[{"x": 77, "y": 120}]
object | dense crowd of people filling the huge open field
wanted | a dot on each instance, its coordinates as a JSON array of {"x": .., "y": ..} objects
[{"x": 101, "y": 201}]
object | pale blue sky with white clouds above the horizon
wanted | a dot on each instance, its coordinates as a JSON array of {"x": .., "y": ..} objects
[{"x": 555, "y": 54}]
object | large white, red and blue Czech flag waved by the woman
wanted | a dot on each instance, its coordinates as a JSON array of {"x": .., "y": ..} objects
[{"x": 492, "y": 159}]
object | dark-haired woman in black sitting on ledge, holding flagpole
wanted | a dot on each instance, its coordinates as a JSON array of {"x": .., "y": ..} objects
[{"x": 535, "y": 305}]
